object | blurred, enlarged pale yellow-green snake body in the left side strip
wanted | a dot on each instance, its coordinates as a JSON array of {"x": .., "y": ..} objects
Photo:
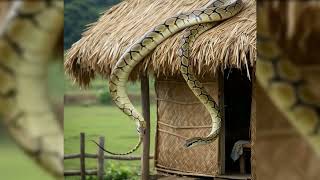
[{"x": 28, "y": 37}]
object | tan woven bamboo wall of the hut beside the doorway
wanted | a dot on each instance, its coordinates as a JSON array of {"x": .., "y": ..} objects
[{"x": 181, "y": 116}]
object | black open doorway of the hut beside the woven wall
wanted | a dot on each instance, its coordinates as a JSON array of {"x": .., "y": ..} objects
[{"x": 237, "y": 102}]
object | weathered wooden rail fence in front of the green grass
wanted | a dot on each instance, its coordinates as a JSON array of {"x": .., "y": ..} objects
[{"x": 100, "y": 156}]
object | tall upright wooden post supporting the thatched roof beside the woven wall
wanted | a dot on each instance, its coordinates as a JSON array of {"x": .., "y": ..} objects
[{"x": 145, "y": 98}]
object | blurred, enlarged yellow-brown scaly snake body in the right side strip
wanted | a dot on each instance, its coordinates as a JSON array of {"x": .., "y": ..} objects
[{"x": 286, "y": 86}]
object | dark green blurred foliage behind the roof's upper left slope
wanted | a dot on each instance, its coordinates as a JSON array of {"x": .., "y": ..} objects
[{"x": 79, "y": 13}]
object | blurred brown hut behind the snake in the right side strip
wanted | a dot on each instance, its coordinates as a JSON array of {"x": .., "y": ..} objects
[{"x": 280, "y": 151}]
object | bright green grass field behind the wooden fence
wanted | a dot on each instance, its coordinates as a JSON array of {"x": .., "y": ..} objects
[{"x": 108, "y": 121}]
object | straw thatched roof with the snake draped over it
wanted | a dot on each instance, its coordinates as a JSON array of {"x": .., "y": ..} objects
[{"x": 230, "y": 44}]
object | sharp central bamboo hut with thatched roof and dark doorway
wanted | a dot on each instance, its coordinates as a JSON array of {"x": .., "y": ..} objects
[{"x": 223, "y": 59}]
